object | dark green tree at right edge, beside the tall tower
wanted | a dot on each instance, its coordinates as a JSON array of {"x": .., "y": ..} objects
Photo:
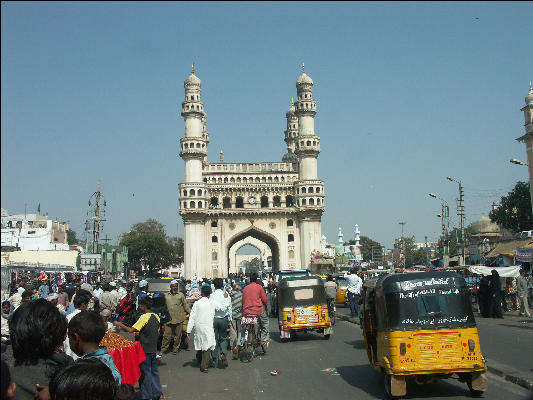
[{"x": 514, "y": 211}]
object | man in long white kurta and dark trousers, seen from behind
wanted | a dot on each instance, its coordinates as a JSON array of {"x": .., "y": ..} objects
[{"x": 201, "y": 320}]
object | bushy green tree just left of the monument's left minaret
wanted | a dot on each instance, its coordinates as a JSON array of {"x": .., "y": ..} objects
[{"x": 150, "y": 248}]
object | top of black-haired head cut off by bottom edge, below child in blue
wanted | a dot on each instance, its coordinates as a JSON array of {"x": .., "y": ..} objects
[{"x": 87, "y": 379}]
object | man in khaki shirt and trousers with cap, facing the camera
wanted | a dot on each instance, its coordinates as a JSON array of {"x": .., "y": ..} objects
[{"x": 177, "y": 307}]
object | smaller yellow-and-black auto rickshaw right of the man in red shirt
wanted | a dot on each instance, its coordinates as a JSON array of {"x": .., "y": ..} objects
[{"x": 302, "y": 306}]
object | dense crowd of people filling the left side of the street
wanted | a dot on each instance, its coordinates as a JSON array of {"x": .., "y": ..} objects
[{"x": 51, "y": 334}]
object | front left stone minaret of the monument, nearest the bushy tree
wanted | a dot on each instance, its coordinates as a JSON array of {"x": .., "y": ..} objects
[{"x": 193, "y": 196}]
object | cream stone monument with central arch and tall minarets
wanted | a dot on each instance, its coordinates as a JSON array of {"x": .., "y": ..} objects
[{"x": 225, "y": 205}]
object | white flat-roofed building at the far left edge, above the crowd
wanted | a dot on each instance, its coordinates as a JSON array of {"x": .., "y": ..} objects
[{"x": 33, "y": 232}]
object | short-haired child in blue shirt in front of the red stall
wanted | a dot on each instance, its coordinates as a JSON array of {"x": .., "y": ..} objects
[{"x": 85, "y": 332}]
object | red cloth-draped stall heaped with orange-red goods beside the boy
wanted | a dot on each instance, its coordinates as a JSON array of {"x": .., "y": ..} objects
[{"x": 127, "y": 356}]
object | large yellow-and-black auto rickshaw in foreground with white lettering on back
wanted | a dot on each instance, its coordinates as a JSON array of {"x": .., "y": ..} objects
[{"x": 420, "y": 325}]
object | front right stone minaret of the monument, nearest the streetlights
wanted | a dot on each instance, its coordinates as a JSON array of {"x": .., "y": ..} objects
[{"x": 309, "y": 189}]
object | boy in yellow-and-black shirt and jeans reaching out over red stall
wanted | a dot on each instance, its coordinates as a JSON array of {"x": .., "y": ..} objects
[{"x": 147, "y": 327}]
